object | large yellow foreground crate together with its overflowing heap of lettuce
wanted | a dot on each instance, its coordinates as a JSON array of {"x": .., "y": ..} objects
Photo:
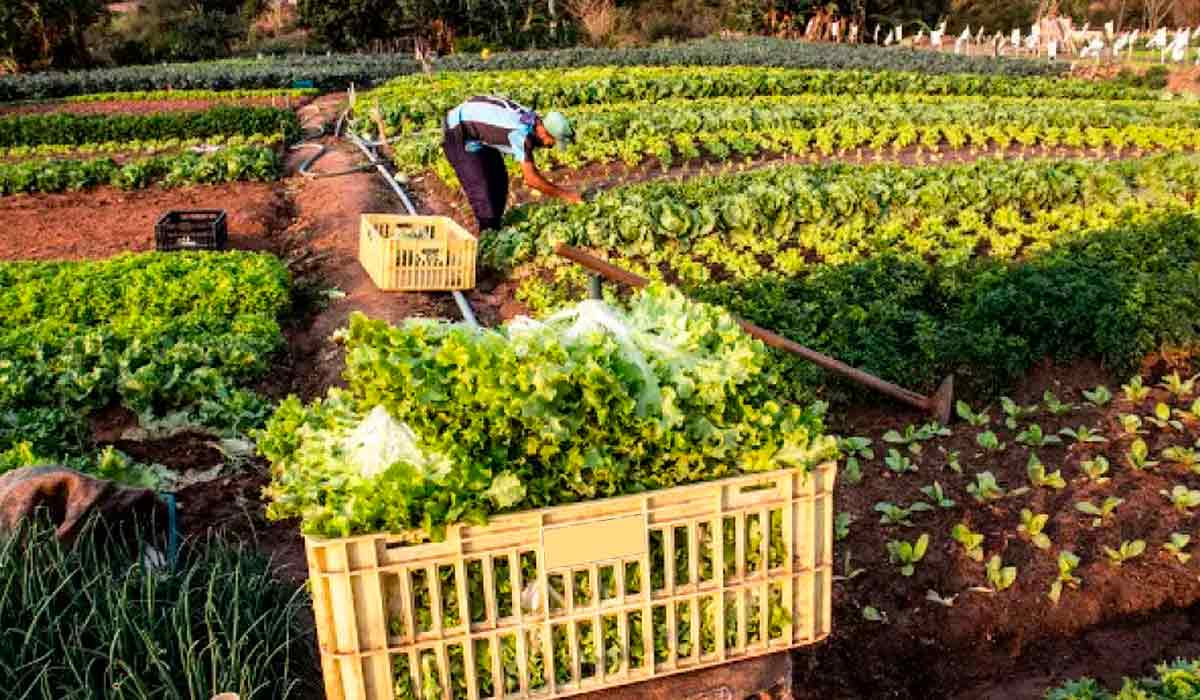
[{"x": 559, "y": 506}]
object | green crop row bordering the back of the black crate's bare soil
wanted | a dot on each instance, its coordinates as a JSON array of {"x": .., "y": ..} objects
[{"x": 229, "y": 165}]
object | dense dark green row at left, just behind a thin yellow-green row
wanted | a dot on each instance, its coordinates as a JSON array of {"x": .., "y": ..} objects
[{"x": 31, "y": 130}]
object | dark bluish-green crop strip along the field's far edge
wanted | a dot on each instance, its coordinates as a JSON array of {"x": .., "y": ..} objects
[{"x": 339, "y": 71}]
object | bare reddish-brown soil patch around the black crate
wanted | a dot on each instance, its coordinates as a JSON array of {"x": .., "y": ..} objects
[{"x": 107, "y": 222}]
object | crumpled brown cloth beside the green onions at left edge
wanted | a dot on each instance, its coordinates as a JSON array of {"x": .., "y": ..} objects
[{"x": 70, "y": 498}]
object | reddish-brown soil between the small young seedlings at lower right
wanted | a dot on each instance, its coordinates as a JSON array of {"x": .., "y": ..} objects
[{"x": 1016, "y": 643}]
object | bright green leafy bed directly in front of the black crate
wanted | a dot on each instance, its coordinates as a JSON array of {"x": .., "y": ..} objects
[{"x": 153, "y": 333}]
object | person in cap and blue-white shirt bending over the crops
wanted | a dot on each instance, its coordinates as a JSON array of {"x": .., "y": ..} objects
[{"x": 479, "y": 130}]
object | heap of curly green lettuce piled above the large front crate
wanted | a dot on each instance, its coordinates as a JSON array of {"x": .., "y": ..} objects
[{"x": 551, "y": 416}]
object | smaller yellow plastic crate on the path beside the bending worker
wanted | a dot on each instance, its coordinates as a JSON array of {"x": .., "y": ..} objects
[{"x": 417, "y": 254}]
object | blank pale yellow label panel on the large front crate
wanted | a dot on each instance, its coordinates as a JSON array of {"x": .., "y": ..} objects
[{"x": 573, "y": 546}]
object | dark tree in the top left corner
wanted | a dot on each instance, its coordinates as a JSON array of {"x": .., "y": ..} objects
[{"x": 47, "y": 33}]
